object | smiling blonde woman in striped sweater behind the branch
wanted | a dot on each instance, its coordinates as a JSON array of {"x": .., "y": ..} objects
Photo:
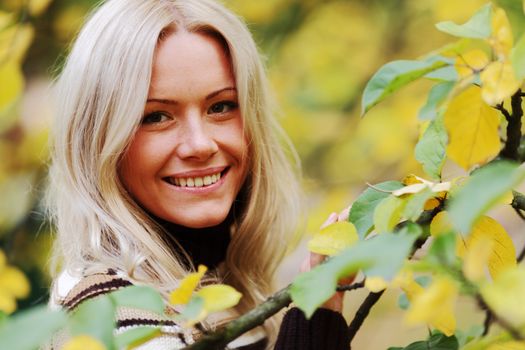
[{"x": 166, "y": 156}]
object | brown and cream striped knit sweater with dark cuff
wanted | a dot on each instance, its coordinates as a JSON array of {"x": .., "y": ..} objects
[{"x": 326, "y": 330}]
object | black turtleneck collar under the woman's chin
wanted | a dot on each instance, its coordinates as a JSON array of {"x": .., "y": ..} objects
[{"x": 206, "y": 246}]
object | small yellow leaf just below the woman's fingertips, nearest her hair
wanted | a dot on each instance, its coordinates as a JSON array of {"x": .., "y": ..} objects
[{"x": 334, "y": 238}]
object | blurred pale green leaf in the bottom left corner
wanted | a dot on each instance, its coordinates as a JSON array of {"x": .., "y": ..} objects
[{"x": 31, "y": 329}]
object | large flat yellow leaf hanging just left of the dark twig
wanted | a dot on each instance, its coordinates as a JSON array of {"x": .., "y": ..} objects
[{"x": 472, "y": 126}]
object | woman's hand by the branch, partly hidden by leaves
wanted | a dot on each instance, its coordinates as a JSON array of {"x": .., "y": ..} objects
[{"x": 335, "y": 303}]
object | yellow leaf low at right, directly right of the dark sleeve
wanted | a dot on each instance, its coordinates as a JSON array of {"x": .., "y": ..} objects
[{"x": 435, "y": 306}]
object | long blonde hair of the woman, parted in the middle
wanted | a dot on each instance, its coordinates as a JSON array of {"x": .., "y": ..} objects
[{"x": 102, "y": 92}]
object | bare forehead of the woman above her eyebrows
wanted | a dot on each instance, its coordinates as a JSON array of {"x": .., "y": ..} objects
[{"x": 186, "y": 62}]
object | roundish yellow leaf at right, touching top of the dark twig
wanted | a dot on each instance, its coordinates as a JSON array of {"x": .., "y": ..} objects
[{"x": 498, "y": 82}]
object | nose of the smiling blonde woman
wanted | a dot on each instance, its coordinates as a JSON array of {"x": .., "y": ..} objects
[{"x": 196, "y": 139}]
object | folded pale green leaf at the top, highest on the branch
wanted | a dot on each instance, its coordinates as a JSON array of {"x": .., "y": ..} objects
[{"x": 478, "y": 27}]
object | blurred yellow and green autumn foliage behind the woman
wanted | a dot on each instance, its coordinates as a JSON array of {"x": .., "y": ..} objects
[{"x": 319, "y": 54}]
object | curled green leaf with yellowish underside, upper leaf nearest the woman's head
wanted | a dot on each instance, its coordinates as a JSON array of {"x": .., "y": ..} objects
[{"x": 395, "y": 75}]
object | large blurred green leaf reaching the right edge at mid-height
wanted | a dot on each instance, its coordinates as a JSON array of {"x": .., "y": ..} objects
[{"x": 482, "y": 191}]
